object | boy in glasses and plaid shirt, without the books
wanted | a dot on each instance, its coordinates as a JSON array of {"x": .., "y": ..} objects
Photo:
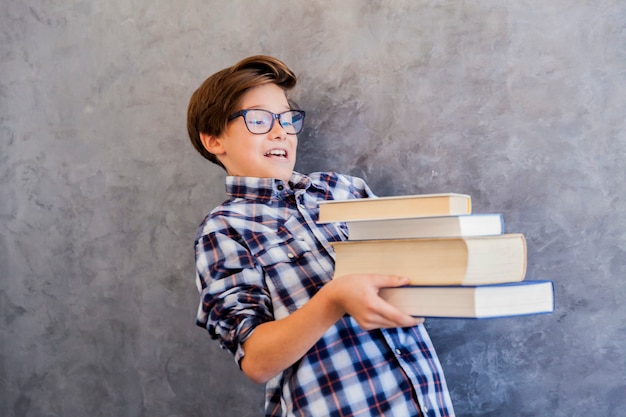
[{"x": 323, "y": 346}]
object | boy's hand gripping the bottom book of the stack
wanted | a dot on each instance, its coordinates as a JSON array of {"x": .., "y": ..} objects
[{"x": 357, "y": 295}]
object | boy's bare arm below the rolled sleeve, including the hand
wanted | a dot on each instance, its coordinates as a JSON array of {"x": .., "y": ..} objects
[{"x": 276, "y": 345}]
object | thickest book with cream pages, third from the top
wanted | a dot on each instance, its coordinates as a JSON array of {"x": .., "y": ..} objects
[{"x": 437, "y": 261}]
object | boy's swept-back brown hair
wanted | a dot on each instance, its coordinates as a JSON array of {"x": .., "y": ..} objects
[{"x": 220, "y": 94}]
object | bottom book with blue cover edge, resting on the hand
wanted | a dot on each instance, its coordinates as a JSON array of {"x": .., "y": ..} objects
[{"x": 487, "y": 301}]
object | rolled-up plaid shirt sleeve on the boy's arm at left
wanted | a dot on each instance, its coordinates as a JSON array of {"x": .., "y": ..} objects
[{"x": 234, "y": 299}]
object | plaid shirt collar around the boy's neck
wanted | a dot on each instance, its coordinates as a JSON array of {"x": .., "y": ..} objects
[{"x": 252, "y": 188}]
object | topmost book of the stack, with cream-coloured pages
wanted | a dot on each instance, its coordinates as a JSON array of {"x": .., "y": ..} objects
[{"x": 419, "y": 205}]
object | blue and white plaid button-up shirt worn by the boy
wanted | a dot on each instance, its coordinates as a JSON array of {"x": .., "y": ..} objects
[{"x": 260, "y": 256}]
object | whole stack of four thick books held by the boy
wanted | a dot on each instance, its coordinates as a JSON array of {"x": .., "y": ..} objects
[{"x": 459, "y": 264}]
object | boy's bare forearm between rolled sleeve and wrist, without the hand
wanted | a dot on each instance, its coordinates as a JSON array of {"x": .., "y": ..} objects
[{"x": 276, "y": 345}]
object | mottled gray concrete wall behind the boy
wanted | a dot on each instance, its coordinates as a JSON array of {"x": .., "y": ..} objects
[{"x": 520, "y": 104}]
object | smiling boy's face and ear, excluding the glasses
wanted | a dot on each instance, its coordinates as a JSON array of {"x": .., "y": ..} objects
[{"x": 244, "y": 154}]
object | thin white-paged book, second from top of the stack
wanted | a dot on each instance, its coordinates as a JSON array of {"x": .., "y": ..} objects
[{"x": 415, "y": 227}]
